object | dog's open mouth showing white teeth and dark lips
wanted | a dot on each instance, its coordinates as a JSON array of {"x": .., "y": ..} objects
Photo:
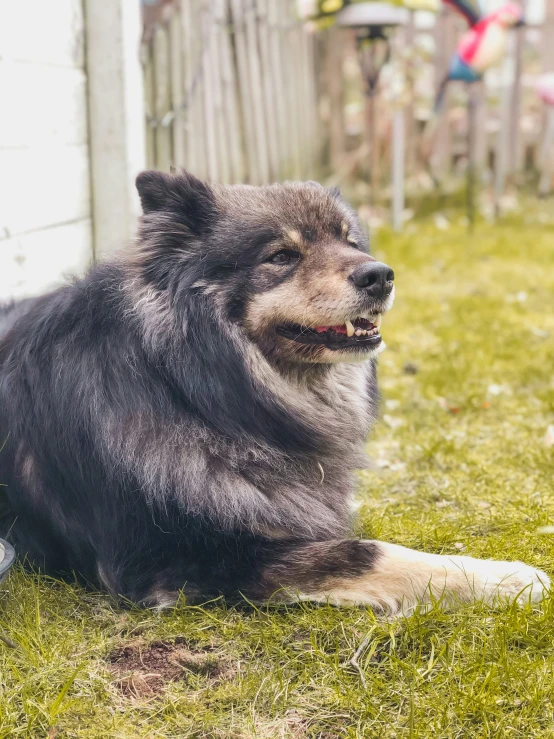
[{"x": 357, "y": 334}]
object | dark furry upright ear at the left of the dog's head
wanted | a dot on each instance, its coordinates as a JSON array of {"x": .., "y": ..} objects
[{"x": 182, "y": 194}]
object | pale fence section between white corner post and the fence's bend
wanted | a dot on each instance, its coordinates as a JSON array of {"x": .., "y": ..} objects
[{"x": 230, "y": 89}]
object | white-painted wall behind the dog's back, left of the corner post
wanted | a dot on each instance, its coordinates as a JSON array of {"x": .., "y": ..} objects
[{"x": 45, "y": 208}]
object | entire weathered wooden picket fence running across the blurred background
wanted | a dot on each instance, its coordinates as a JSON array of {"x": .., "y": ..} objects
[{"x": 242, "y": 91}]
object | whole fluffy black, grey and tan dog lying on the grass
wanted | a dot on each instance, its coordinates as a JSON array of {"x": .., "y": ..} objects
[{"x": 189, "y": 415}]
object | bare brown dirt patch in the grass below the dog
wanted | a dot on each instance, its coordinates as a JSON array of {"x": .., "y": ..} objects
[{"x": 142, "y": 670}]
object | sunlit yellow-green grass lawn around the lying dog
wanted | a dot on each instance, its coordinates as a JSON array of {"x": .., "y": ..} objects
[{"x": 460, "y": 463}]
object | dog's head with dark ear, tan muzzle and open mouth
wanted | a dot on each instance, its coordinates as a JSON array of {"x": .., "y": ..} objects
[{"x": 289, "y": 263}]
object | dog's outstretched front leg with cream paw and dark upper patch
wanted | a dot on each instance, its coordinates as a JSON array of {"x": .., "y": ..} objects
[{"x": 393, "y": 579}]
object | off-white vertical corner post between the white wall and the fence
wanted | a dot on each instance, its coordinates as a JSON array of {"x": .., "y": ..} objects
[{"x": 116, "y": 119}]
